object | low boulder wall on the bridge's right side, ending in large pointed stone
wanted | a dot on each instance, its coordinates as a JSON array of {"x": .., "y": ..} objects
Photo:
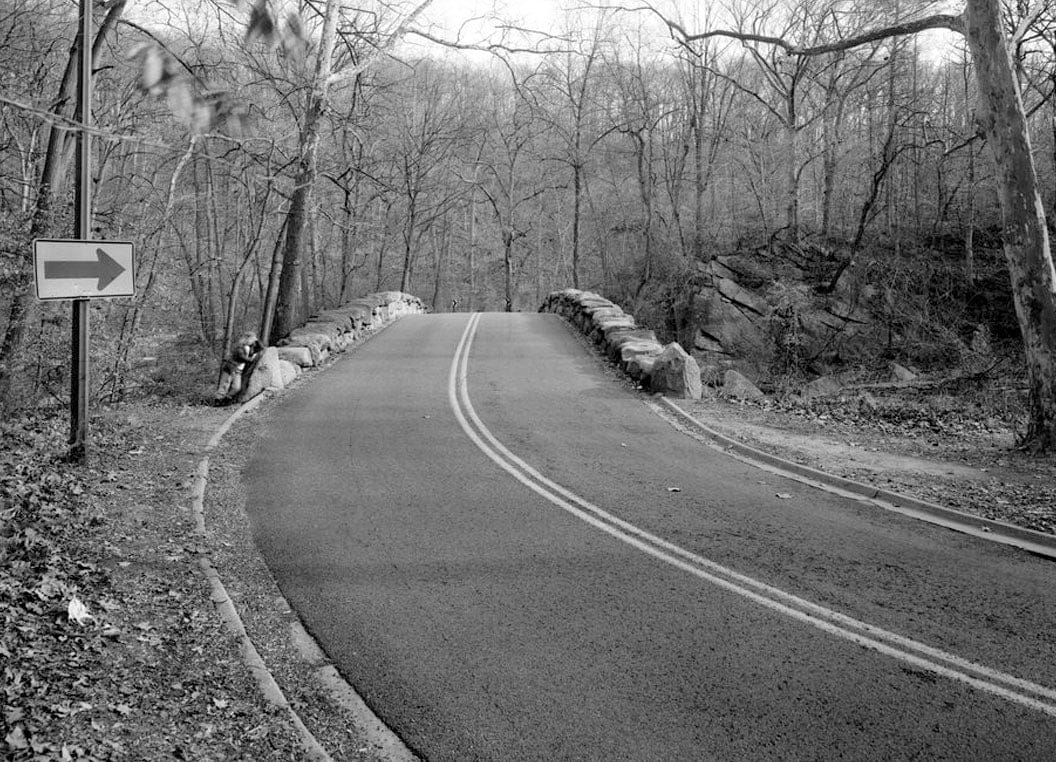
[{"x": 668, "y": 370}]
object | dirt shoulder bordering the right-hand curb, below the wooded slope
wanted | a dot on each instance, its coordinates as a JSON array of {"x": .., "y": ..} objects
[{"x": 991, "y": 490}]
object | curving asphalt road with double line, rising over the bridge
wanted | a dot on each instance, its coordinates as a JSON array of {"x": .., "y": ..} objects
[{"x": 477, "y": 521}]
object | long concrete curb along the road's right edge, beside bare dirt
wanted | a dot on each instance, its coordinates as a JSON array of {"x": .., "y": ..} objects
[{"x": 1036, "y": 543}]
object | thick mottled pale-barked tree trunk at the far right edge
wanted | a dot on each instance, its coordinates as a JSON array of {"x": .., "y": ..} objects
[{"x": 1025, "y": 235}]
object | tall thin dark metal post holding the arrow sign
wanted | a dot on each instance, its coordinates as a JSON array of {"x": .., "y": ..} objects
[{"x": 79, "y": 367}]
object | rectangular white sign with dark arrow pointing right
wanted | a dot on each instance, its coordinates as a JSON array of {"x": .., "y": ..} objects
[{"x": 84, "y": 270}]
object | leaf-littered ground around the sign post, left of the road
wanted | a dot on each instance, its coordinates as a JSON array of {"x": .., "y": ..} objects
[{"x": 102, "y": 612}]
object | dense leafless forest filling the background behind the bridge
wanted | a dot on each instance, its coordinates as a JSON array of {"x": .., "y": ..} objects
[{"x": 269, "y": 163}]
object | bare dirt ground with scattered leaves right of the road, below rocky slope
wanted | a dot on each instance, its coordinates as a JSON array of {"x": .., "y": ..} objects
[{"x": 940, "y": 456}]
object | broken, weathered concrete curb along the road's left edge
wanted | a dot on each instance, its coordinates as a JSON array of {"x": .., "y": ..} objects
[{"x": 376, "y": 732}]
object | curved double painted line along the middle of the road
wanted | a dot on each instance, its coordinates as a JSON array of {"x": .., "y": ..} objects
[{"x": 891, "y": 644}]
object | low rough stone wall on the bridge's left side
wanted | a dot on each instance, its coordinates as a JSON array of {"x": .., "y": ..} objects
[{"x": 327, "y": 333}]
